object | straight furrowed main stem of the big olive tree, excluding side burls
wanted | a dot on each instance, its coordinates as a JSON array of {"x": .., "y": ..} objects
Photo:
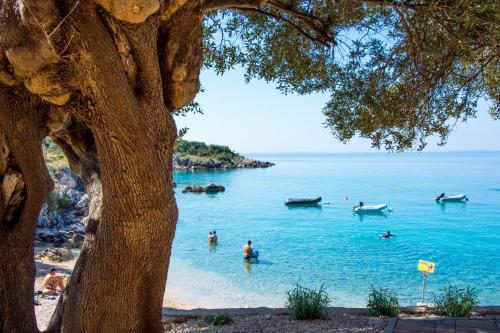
[{"x": 120, "y": 279}]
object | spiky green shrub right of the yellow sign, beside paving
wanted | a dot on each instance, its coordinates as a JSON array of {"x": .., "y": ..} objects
[{"x": 456, "y": 302}]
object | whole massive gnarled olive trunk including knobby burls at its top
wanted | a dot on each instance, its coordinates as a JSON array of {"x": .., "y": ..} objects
[{"x": 121, "y": 68}]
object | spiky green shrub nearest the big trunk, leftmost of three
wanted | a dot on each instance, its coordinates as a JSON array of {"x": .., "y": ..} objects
[{"x": 305, "y": 303}]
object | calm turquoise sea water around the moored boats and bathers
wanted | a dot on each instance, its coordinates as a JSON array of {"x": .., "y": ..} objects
[{"x": 329, "y": 245}]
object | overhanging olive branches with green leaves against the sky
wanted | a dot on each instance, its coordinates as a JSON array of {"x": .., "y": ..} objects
[{"x": 397, "y": 71}]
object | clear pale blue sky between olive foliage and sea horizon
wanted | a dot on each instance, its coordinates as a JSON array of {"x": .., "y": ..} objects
[{"x": 257, "y": 118}]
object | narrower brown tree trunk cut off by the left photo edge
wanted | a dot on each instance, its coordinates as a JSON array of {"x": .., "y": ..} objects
[{"x": 24, "y": 185}]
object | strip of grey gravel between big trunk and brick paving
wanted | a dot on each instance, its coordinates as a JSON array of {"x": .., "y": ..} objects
[{"x": 281, "y": 323}]
